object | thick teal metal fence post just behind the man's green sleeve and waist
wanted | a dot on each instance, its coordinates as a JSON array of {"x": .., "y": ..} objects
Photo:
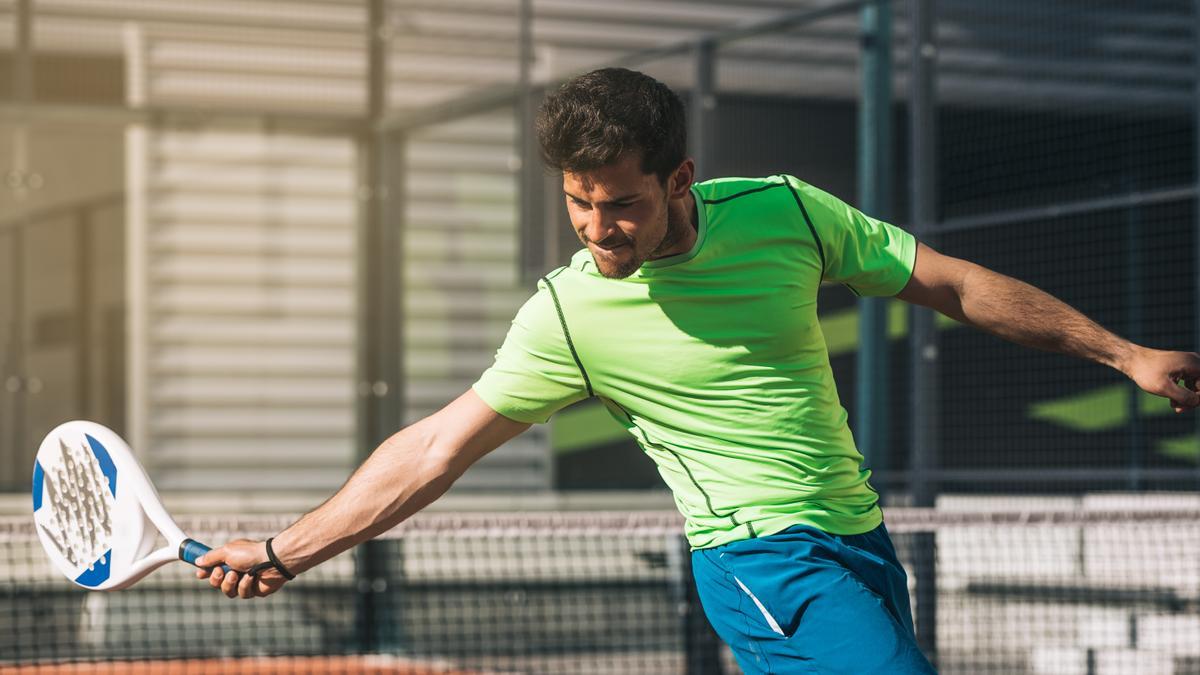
[{"x": 875, "y": 199}]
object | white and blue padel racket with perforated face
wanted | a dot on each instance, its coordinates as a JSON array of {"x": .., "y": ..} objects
[{"x": 97, "y": 513}]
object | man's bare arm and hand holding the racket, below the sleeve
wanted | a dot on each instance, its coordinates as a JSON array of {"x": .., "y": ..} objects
[{"x": 403, "y": 476}]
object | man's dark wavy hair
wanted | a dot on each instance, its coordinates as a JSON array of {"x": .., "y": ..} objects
[{"x": 593, "y": 121}]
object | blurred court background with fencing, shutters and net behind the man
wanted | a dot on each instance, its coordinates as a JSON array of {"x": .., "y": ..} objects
[{"x": 257, "y": 237}]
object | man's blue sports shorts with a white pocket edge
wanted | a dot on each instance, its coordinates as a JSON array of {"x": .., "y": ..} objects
[{"x": 805, "y": 601}]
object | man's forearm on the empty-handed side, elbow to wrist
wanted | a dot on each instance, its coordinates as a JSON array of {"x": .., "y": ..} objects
[{"x": 1022, "y": 314}]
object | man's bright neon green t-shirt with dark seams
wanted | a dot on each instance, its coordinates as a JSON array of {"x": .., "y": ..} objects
[{"x": 715, "y": 360}]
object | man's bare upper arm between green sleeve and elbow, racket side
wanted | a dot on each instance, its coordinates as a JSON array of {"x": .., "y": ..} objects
[{"x": 467, "y": 429}]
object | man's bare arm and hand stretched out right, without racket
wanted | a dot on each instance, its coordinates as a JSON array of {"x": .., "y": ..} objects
[{"x": 1022, "y": 314}]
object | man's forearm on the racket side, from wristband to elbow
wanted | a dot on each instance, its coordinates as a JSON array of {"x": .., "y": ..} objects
[{"x": 403, "y": 476}]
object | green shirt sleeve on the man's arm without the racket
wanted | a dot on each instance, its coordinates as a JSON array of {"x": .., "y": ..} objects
[{"x": 869, "y": 256}]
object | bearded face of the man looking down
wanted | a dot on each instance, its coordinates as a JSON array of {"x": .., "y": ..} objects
[{"x": 620, "y": 214}]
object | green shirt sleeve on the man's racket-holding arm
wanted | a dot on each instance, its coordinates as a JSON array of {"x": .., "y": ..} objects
[{"x": 535, "y": 374}]
